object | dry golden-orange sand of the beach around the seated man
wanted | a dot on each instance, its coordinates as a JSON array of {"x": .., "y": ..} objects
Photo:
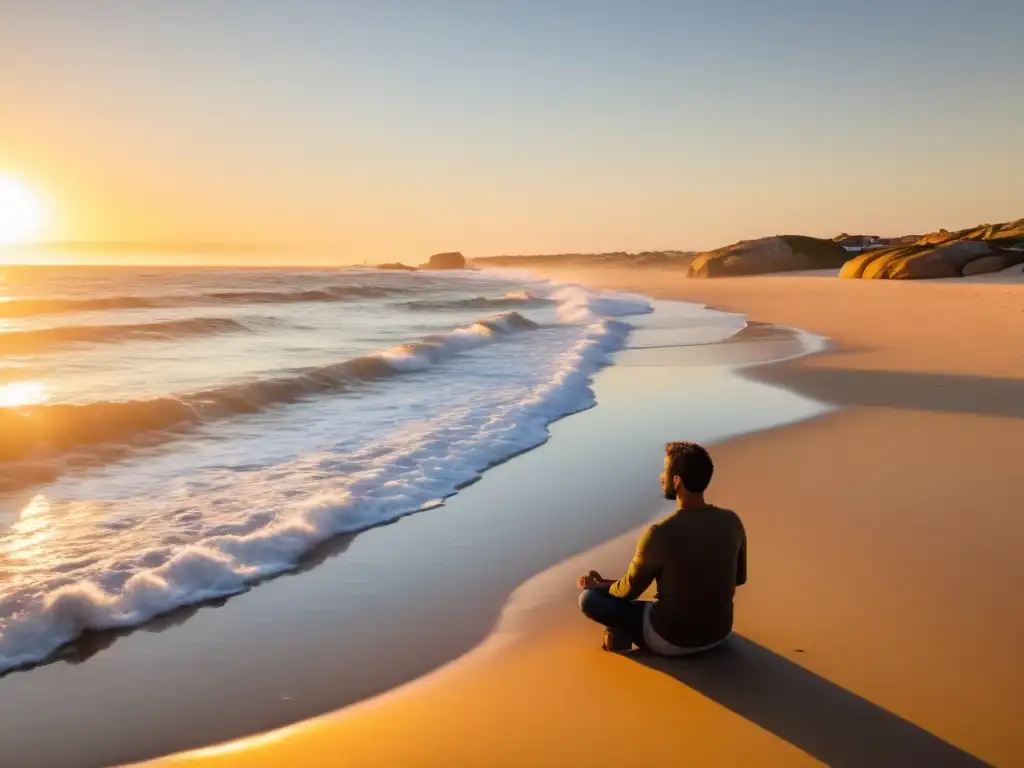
[{"x": 882, "y": 624}]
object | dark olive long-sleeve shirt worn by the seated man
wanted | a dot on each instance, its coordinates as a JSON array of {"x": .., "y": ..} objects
[{"x": 698, "y": 558}]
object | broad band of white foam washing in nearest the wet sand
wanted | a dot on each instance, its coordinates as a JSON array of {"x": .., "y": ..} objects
[{"x": 122, "y": 547}]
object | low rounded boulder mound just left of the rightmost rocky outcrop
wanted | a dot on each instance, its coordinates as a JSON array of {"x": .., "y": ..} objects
[{"x": 779, "y": 254}]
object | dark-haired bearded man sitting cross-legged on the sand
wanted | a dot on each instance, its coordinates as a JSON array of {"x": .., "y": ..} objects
[{"x": 698, "y": 557}]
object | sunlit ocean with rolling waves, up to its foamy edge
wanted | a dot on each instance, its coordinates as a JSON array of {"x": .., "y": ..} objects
[{"x": 168, "y": 437}]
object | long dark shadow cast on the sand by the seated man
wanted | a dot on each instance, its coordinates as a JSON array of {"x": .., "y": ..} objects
[{"x": 828, "y": 722}]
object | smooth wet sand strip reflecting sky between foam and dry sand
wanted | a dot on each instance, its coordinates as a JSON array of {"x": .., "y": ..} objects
[{"x": 307, "y": 644}]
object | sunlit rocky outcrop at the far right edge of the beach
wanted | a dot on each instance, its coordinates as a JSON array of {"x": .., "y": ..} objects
[{"x": 983, "y": 249}]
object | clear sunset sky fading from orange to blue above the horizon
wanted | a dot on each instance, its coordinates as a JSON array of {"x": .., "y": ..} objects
[{"x": 392, "y": 131}]
